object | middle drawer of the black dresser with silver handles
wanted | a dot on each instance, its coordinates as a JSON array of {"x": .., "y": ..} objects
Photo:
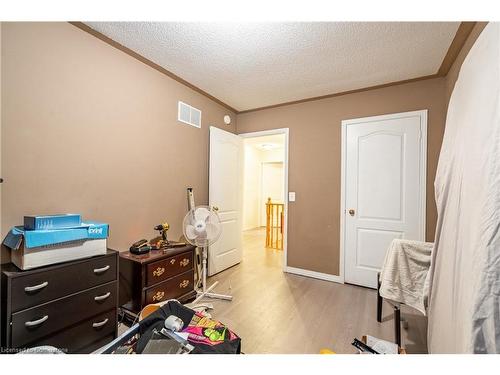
[{"x": 36, "y": 322}]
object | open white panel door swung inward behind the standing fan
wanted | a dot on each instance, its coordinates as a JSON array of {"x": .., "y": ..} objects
[{"x": 225, "y": 192}]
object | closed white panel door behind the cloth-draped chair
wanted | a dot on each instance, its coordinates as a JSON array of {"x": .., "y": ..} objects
[{"x": 384, "y": 189}]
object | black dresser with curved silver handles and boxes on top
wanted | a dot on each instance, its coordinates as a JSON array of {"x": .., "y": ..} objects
[{"x": 71, "y": 306}]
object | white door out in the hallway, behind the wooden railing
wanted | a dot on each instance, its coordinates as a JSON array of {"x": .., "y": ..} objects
[{"x": 271, "y": 186}]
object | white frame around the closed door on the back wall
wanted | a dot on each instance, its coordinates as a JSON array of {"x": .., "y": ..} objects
[{"x": 422, "y": 177}]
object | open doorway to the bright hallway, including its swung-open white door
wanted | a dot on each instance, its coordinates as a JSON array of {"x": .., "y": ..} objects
[{"x": 241, "y": 181}]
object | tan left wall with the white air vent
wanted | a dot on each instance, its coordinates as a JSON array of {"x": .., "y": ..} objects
[{"x": 89, "y": 129}]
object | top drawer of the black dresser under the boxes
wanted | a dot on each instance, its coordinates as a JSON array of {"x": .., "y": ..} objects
[{"x": 37, "y": 287}]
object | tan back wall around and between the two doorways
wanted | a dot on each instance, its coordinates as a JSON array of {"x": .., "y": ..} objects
[{"x": 314, "y": 160}]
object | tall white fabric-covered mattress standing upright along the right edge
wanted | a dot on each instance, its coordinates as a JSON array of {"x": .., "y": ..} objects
[{"x": 464, "y": 279}]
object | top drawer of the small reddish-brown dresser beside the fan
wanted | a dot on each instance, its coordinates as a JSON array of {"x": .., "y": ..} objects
[{"x": 166, "y": 268}]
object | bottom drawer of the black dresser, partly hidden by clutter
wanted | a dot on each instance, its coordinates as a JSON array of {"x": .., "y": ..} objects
[{"x": 82, "y": 335}]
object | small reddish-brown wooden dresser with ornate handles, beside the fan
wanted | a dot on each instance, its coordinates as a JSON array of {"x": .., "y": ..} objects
[{"x": 156, "y": 276}]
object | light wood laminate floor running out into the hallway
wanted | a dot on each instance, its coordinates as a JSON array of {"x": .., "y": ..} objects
[{"x": 277, "y": 312}]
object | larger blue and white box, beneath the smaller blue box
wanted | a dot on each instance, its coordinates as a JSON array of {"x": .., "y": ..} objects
[{"x": 37, "y": 248}]
